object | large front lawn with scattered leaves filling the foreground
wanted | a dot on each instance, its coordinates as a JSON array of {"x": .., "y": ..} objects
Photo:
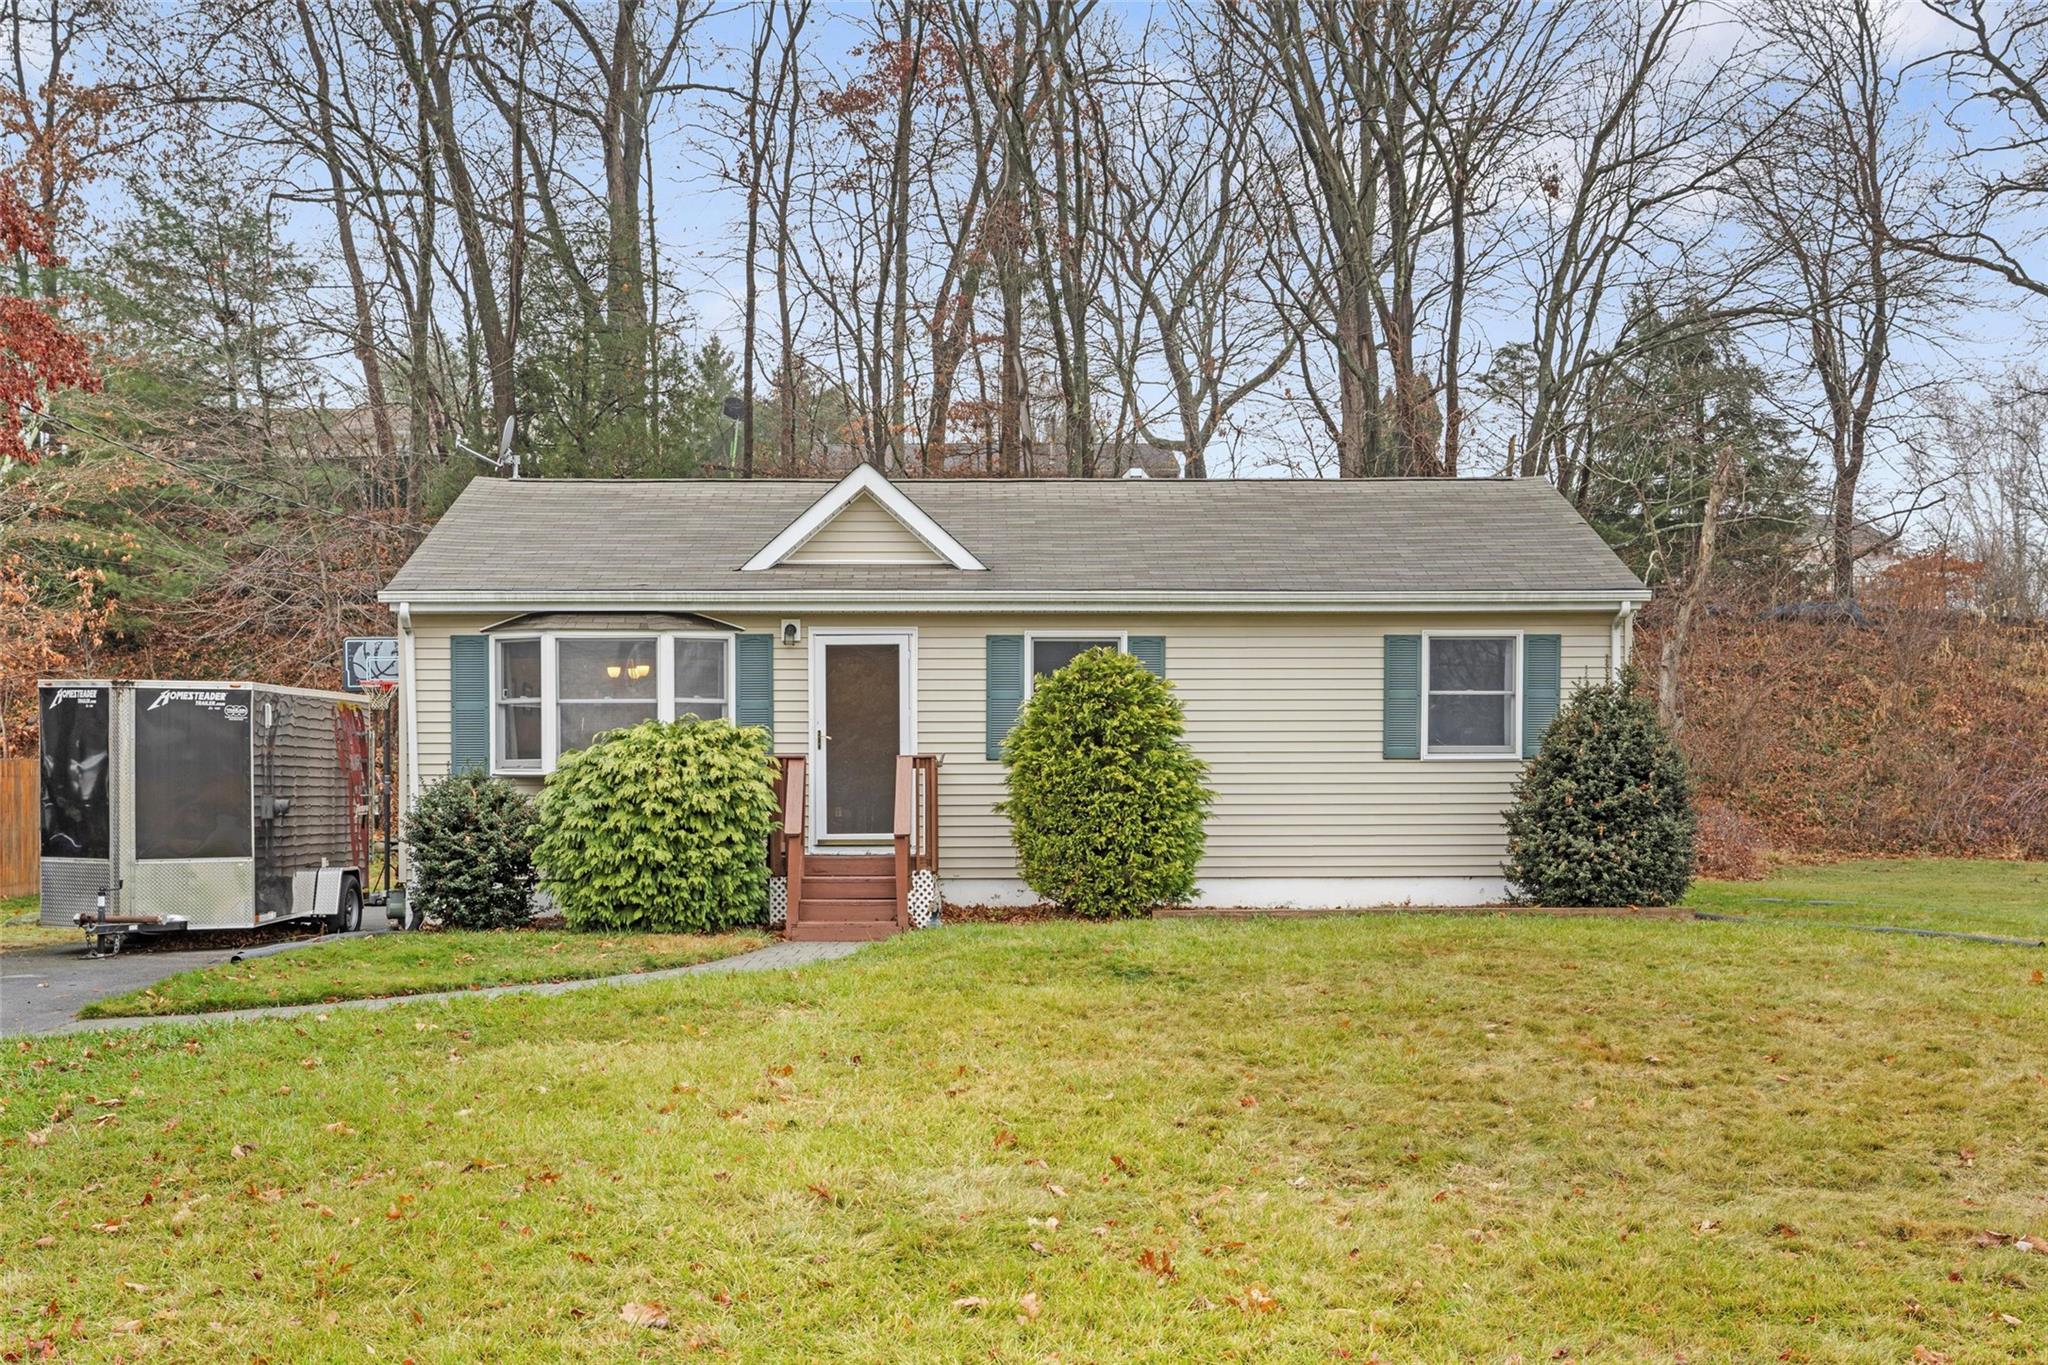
[{"x": 1324, "y": 1139}]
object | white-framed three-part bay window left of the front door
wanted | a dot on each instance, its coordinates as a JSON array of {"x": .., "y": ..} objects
[{"x": 558, "y": 693}]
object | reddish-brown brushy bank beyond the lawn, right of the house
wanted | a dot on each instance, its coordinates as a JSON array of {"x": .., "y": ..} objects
[{"x": 1918, "y": 734}]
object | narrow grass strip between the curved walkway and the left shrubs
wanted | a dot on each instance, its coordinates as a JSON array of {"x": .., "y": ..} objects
[{"x": 417, "y": 963}]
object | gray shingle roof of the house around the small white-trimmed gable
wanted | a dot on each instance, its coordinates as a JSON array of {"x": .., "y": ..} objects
[{"x": 548, "y": 541}]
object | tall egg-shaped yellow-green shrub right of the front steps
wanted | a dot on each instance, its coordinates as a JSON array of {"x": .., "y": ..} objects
[{"x": 1107, "y": 801}]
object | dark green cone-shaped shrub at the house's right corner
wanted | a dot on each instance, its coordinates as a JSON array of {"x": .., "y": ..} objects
[{"x": 1605, "y": 811}]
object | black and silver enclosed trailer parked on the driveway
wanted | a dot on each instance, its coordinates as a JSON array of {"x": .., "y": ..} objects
[{"x": 202, "y": 805}]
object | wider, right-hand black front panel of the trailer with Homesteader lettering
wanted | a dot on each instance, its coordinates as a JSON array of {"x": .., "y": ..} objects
[{"x": 191, "y": 773}]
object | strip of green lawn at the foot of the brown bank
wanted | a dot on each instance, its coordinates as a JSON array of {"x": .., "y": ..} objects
[{"x": 1926, "y": 893}]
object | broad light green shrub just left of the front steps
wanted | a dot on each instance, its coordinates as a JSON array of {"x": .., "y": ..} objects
[{"x": 663, "y": 828}]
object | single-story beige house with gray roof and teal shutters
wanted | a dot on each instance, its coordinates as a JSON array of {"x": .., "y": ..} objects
[{"x": 1365, "y": 664}]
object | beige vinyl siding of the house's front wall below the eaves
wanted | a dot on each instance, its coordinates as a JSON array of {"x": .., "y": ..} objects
[{"x": 1283, "y": 707}]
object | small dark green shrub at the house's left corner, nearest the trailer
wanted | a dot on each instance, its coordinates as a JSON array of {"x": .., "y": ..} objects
[{"x": 470, "y": 842}]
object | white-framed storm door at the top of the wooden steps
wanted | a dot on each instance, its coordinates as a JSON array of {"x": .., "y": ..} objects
[{"x": 861, "y": 687}]
